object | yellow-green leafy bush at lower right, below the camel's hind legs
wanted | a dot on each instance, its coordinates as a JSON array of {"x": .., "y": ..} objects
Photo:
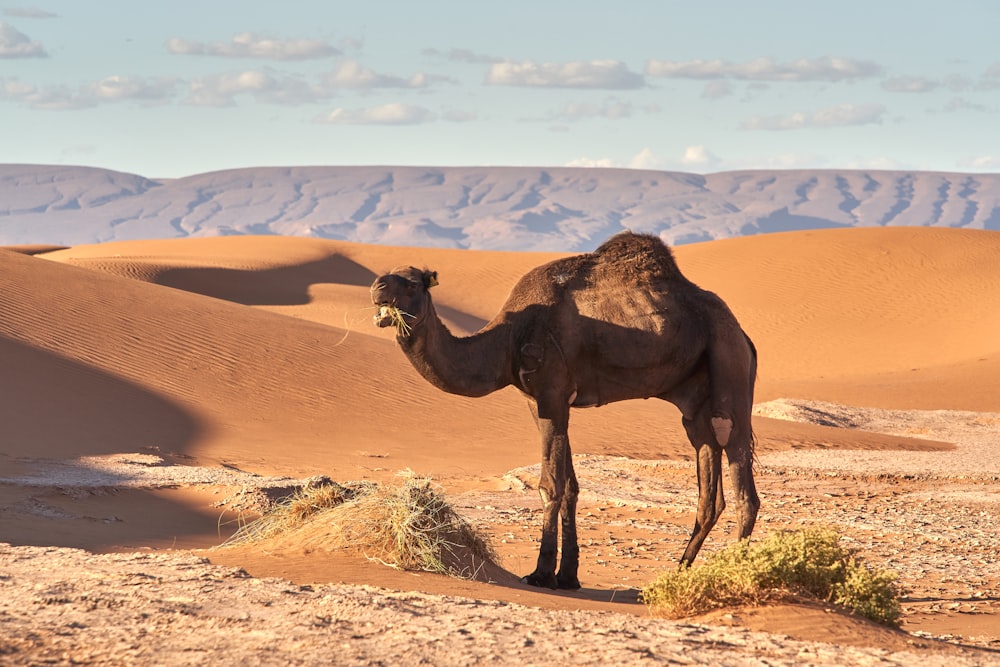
[{"x": 784, "y": 565}]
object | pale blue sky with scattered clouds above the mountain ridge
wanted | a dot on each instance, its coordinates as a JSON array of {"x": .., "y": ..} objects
[{"x": 172, "y": 89}]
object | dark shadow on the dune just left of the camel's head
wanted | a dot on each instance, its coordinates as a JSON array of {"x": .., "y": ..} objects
[{"x": 280, "y": 286}]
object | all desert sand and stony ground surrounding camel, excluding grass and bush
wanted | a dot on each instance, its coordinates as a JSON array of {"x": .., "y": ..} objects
[{"x": 148, "y": 382}]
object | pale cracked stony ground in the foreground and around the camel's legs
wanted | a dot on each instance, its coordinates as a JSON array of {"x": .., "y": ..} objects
[{"x": 929, "y": 516}]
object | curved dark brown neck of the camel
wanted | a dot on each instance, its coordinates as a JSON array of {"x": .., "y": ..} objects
[{"x": 473, "y": 365}]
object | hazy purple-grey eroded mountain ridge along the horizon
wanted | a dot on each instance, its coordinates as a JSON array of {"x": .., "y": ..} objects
[{"x": 485, "y": 208}]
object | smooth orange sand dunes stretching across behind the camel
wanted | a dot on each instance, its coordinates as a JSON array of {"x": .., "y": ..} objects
[{"x": 258, "y": 353}]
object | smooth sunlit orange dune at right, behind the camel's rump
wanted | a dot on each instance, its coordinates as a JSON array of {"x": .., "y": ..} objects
[{"x": 884, "y": 317}]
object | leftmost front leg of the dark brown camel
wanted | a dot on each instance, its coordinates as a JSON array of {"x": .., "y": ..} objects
[{"x": 552, "y": 487}]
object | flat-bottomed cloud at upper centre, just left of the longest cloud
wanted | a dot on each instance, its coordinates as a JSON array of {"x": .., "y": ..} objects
[{"x": 602, "y": 74}]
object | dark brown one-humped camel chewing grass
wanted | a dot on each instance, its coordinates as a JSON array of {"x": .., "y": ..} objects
[{"x": 618, "y": 323}]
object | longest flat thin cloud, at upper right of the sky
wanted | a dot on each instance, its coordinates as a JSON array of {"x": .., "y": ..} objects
[{"x": 766, "y": 69}]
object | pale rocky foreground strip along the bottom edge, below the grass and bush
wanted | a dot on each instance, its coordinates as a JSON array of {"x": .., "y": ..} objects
[{"x": 171, "y": 609}]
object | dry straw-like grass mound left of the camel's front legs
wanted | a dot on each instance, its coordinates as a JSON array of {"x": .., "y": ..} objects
[{"x": 407, "y": 525}]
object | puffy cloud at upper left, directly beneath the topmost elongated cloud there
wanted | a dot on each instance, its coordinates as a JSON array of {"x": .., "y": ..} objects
[{"x": 221, "y": 90}]
